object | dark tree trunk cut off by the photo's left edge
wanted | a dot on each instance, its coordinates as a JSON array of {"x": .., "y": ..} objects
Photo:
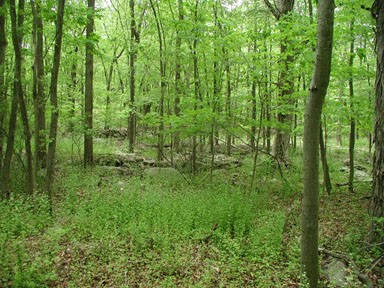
[{"x": 3, "y": 94}]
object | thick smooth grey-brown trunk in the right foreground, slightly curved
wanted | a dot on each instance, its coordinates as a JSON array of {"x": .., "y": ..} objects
[{"x": 317, "y": 92}]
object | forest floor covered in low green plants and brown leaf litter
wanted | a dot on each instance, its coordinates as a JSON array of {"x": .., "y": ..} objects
[{"x": 173, "y": 230}]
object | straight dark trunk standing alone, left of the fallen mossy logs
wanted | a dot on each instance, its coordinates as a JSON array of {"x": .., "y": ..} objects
[{"x": 88, "y": 111}]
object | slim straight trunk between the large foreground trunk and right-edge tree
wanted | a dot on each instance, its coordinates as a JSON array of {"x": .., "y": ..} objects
[{"x": 352, "y": 132}]
